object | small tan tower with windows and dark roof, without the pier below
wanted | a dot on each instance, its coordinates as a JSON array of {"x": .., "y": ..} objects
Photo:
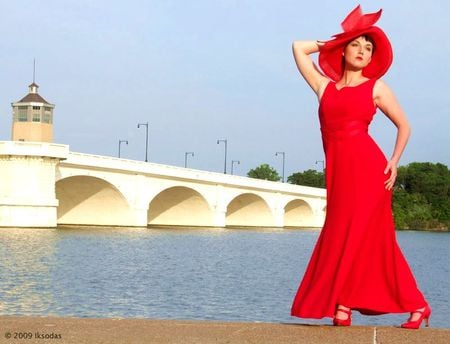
[{"x": 32, "y": 118}]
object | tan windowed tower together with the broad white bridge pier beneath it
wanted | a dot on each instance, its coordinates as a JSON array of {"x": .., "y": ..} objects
[{"x": 28, "y": 165}]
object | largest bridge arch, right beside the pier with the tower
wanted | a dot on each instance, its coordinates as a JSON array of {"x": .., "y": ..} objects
[{"x": 88, "y": 200}]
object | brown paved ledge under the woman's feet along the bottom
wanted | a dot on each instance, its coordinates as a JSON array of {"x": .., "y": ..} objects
[{"x": 130, "y": 331}]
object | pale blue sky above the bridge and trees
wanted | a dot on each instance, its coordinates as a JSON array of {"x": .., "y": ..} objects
[{"x": 199, "y": 71}]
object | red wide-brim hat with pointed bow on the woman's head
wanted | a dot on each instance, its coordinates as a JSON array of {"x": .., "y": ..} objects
[{"x": 355, "y": 25}]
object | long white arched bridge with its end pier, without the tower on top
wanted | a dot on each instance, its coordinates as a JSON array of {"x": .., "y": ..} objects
[{"x": 47, "y": 185}]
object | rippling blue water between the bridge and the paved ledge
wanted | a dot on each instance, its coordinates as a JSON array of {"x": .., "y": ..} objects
[{"x": 210, "y": 274}]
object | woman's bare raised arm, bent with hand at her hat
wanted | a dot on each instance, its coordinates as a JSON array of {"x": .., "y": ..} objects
[{"x": 315, "y": 79}]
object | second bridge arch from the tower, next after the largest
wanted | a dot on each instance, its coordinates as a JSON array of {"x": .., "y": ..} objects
[{"x": 179, "y": 206}]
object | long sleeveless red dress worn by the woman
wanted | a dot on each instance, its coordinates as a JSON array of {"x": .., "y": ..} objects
[{"x": 356, "y": 261}]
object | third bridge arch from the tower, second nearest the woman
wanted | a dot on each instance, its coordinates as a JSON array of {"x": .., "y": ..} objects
[{"x": 249, "y": 209}]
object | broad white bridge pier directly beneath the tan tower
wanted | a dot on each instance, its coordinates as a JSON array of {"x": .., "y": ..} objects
[{"x": 27, "y": 188}]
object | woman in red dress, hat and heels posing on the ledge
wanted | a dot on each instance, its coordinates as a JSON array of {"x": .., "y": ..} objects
[{"x": 356, "y": 264}]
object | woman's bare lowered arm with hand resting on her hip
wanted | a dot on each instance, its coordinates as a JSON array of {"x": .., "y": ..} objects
[{"x": 385, "y": 99}]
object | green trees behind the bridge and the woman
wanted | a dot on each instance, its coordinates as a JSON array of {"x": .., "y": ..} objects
[{"x": 421, "y": 198}]
